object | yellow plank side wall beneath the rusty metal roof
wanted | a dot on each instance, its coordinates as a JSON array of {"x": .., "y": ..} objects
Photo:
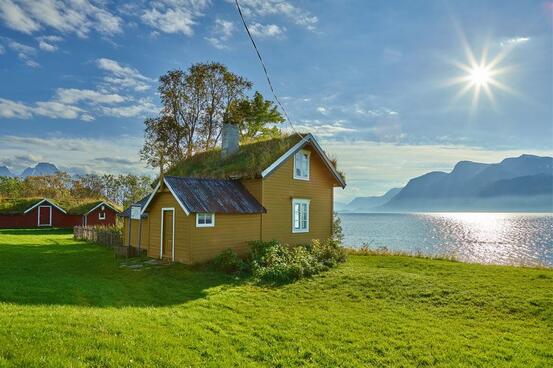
[{"x": 230, "y": 231}]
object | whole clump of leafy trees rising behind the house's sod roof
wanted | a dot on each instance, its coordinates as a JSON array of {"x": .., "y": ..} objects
[{"x": 195, "y": 103}]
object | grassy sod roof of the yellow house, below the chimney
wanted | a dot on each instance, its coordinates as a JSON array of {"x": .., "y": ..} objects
[{"x": 248, "y": 163}]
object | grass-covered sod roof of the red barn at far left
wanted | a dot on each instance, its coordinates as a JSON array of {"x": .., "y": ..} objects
[{"x": 10, "y": 206}]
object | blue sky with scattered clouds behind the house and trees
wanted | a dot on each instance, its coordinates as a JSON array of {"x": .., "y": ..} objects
[{"x": 374, "y": 80}]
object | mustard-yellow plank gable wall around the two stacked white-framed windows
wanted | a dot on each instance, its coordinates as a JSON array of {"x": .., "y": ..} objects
[{"x": 280, "y": 187}]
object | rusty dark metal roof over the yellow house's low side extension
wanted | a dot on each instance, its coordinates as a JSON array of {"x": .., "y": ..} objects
[{"x": 201, "y": 195}]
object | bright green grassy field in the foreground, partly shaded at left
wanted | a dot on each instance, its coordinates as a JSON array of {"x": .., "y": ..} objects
[{"x": 68, "y": 303}]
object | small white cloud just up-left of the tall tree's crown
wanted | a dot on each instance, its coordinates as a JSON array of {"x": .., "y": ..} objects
[{"x": 123, "y": 76}]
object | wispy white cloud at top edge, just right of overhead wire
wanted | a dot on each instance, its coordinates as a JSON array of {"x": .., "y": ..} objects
[{"x": 278, "y": 7}]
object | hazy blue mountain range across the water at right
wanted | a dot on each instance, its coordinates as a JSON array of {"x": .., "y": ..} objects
[{"x": 523, "y": 183}]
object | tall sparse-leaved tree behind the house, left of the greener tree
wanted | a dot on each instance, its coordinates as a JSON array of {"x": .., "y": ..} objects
[{"x": 194, "y": 106}]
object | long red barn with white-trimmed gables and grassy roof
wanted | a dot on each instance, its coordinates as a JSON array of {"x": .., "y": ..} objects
[{"x": 43, "y": 212}]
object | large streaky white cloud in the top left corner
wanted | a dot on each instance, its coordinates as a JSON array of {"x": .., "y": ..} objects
[{"x": 79, "y": 17}]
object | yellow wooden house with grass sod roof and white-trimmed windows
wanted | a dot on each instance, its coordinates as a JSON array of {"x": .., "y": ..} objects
[{"x": 280, "y": 189}]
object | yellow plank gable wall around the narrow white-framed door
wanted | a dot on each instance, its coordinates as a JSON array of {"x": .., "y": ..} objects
[{"x": 164, "y": 199}]
